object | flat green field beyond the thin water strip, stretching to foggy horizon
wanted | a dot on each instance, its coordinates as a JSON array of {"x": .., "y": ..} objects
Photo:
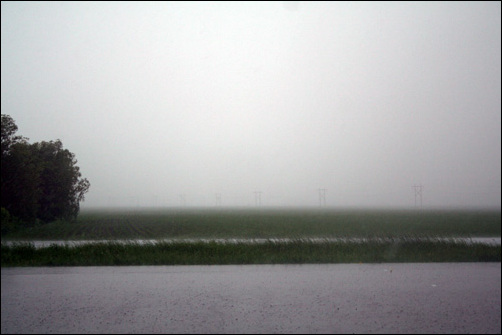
[{"x": 214, "y": 223}]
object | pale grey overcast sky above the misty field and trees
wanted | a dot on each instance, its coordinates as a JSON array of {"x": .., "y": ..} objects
[{"x": 172, "y": 103}]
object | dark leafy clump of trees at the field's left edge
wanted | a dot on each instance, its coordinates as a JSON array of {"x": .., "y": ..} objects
[{"x": 41, "y": 181}]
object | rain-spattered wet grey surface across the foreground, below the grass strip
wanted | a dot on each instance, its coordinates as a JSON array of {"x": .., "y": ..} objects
[{"x": 334, "y": 298}]
